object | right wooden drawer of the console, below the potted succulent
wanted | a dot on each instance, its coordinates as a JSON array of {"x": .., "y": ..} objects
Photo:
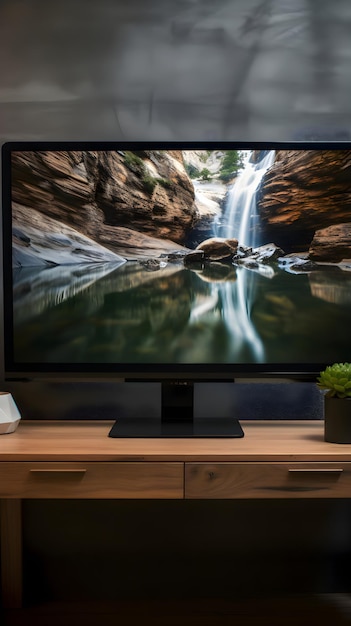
[{"x": 268, "y": 480}]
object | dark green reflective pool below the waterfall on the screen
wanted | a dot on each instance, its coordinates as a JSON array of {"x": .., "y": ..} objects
[{"x": 177, "y": 315}]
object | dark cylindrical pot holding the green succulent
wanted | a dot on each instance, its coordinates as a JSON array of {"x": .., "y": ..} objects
[{"x": 337, "y": 420}]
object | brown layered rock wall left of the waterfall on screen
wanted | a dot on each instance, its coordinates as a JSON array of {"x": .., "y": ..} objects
[{"x": 119, "y": 199}]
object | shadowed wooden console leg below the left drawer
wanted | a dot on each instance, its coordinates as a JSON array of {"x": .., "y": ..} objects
[{"x": 11, "y": 553}]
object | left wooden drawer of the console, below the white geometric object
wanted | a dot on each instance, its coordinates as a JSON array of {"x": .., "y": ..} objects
[{"x": 91, "y": 480}]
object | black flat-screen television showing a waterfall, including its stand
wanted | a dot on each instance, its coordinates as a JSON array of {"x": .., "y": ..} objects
[{"x": 176, "y": 262}]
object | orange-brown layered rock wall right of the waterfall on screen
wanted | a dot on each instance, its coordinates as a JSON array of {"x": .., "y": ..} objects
[{"x": 303, "y": 193}]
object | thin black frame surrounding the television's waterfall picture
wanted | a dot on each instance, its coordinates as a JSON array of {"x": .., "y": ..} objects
[{"x": 135, "y": 371}]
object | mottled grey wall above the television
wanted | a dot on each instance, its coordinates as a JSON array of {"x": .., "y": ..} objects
[{"x": 174, "y": 69}]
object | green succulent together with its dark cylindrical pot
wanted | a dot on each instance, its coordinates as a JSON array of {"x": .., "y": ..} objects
[{"x": 336, "y": 380}]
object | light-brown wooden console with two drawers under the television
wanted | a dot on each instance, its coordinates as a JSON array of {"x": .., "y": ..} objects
[{"x": 48, "y": 459}]
